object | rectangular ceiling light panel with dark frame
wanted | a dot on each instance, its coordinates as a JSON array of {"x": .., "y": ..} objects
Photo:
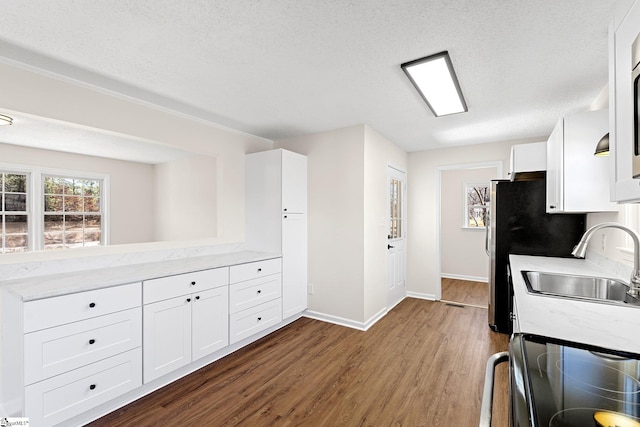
[{"x": 436, "y": 81}]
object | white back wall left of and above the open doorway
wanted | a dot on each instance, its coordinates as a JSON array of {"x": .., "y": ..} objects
[{"x": 423, "y": 267}]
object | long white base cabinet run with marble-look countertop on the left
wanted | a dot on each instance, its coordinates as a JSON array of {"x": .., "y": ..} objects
[{"x": 82, "y": 343}]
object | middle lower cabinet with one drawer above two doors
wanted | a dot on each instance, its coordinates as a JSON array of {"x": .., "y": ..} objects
[{"x": 186, "y": 327}]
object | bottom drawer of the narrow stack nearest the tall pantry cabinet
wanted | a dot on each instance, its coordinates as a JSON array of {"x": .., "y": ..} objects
[{"x": 253, "y": 320}]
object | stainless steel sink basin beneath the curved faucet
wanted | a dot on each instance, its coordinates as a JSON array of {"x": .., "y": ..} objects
[{"x": 597, "y": 289}]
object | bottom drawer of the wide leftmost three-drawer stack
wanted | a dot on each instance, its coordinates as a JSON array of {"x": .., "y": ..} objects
[{"x": 57, "y": 399}]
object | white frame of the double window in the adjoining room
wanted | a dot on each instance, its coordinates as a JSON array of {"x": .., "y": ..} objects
[{"x": 35, "y": 200}]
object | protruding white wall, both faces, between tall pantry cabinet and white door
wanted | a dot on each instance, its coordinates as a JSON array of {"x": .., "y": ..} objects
[{"x": 347, "y": 204}]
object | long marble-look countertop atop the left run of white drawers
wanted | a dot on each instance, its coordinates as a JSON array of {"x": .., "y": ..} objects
[{"x": 50, "y": 285}]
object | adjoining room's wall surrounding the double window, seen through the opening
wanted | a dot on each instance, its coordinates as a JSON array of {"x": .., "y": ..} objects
[{"x": 131, "y": 209}]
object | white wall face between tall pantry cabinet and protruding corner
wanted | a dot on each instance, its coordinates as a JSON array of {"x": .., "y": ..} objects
[{"x": 336, "y": 203}]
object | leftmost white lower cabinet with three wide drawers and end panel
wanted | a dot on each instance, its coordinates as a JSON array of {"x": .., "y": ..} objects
[{"x": 78, "y": 351}]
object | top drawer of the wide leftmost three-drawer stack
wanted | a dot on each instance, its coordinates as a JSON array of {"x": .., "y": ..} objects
[{"x": 49, "y": 312}]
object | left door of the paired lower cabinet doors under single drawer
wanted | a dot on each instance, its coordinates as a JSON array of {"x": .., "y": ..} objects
[{"x": 167, "y": 336}]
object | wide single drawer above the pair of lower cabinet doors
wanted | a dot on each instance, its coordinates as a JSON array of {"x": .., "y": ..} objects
[{"x": 183, "y": 284}]
